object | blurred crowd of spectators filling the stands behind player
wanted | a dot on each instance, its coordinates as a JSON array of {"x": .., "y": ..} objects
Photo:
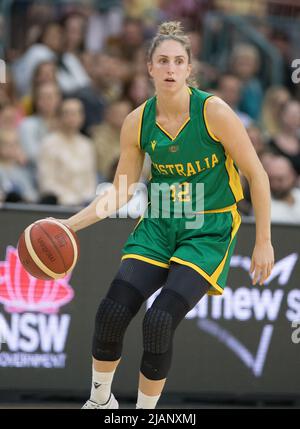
[{"x": 76, "y": 69}]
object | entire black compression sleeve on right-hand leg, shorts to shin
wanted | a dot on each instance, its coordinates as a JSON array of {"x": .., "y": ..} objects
[{"x": 183, "y": 289}]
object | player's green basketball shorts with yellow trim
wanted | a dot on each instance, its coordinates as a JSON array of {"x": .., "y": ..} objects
[{"x": 207, "y": 249}]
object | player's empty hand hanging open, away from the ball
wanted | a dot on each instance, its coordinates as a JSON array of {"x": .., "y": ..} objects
[{"x": 262, "y": 262}]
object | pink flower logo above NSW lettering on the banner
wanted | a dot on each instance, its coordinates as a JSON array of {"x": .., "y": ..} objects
[{"x": 20, "y": 292}]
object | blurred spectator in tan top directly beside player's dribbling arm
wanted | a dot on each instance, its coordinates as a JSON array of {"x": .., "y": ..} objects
[{"x": 106, "y": 137}]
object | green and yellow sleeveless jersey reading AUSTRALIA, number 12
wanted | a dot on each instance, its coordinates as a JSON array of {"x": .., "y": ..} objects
[{"x": 191, "y": 168}]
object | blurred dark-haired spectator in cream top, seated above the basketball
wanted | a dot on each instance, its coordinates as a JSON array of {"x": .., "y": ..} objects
[{"x": 66, "y": 167}]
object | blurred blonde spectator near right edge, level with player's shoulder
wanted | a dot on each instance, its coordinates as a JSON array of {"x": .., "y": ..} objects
[{"x": 274, "y": 99}]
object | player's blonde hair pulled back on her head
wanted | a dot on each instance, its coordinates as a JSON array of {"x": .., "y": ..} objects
[{"x": 171, "y": 30}]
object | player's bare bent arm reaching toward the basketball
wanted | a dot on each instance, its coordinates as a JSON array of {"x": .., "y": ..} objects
[{"x": 130, "y": 165}]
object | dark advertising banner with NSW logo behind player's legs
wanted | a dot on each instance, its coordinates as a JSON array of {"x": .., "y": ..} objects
[{"x": 246, "y": 342}]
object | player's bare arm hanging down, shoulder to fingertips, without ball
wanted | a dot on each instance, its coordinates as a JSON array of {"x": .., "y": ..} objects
[{"x": 227, "y": 127}]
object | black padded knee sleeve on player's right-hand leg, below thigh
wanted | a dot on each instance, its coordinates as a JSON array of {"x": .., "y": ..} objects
[{"x": 159, "y": 326}]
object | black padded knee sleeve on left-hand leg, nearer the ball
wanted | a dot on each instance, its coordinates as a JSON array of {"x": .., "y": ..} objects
[{"x": 114, "y": 314}]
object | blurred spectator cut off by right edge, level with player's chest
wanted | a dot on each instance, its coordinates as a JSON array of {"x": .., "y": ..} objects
[{"x": 287, "y": 141}]
